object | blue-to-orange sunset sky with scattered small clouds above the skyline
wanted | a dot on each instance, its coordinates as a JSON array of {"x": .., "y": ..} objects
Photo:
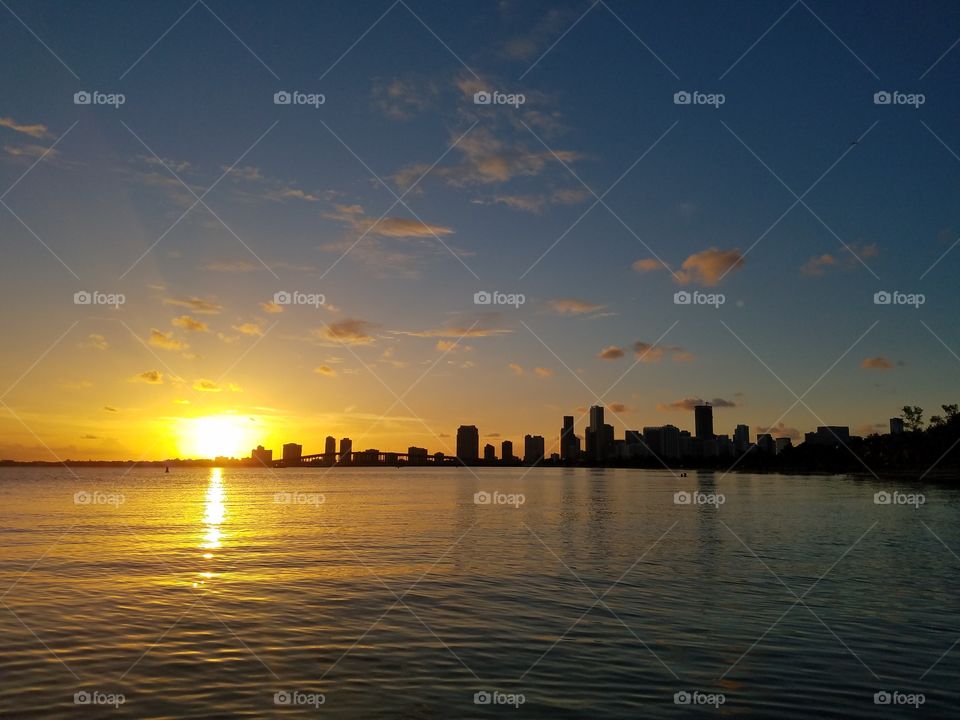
[{"x": 782, "y": 198}]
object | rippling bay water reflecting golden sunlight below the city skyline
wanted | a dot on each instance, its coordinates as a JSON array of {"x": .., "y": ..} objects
[{"x": 392, "y": 594}]
